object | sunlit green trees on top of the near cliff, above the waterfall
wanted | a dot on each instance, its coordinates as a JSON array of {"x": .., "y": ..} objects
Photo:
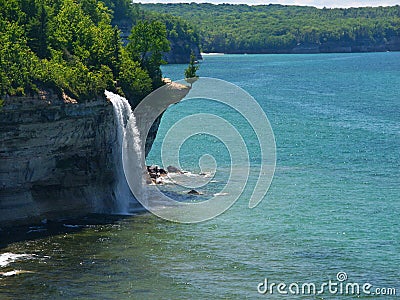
[{"x": 70, "y": 46}]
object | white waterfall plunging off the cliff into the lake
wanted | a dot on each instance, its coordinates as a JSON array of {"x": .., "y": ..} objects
[{"x": 128, "y": 135}]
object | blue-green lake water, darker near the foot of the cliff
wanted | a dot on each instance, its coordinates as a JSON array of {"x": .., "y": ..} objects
[{"x": 333, "y": 206}]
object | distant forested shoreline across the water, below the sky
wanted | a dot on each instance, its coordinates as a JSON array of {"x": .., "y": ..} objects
[{"x": 277, "y": 28}]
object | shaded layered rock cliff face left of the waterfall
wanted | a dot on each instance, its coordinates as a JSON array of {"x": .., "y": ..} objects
[{"x": 56, "y": 158}]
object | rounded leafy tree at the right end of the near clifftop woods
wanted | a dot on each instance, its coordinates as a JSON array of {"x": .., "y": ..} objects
[{"x": 147, "y": 42}]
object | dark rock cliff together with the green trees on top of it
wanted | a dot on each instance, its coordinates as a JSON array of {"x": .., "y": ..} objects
[{"x": 59, "y": 148}]
